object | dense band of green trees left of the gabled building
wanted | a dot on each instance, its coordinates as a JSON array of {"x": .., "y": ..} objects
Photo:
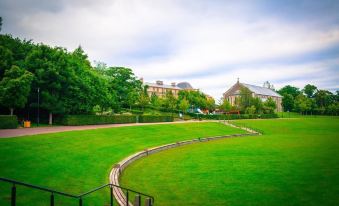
[{"x": 66, "y": 83}]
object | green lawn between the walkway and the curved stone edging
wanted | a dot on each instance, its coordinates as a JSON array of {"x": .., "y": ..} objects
[{"x": 78, "y": 161}]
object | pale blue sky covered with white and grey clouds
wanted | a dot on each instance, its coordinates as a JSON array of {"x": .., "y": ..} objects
[{"x": 207, "y": 43}]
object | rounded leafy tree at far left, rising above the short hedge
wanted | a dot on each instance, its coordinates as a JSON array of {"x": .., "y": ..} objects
[{"x": 15, "y": 88}]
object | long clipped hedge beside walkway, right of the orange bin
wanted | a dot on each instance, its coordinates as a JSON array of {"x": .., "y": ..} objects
[{"x": 74, "y": 120}]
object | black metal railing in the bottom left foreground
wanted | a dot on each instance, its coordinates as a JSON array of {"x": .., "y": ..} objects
[{"x": 149, "y": 199}]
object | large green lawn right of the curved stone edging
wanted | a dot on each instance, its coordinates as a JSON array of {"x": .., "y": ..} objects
[{"x": 295, "y": 162}]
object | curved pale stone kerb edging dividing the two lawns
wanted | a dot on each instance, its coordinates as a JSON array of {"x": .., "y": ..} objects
[{"x": 118, "y": 168}]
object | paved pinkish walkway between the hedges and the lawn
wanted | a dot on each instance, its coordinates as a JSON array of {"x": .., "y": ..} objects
[{"x": 7, "y": 133}]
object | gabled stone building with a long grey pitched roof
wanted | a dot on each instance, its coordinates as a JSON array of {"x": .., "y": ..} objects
[{"x": 262, "y": 92}]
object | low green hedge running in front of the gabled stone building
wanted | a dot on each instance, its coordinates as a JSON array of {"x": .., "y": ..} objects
[{"x": 234, "y": 116}]
